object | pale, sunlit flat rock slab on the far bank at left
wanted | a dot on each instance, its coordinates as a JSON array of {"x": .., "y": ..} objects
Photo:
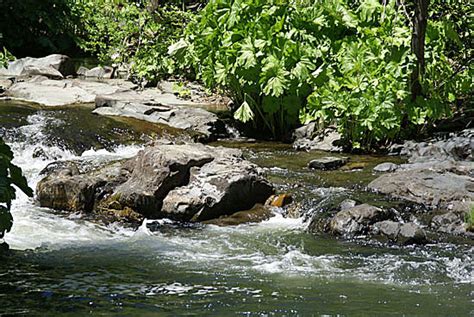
[{"x": 47, "y": 92}]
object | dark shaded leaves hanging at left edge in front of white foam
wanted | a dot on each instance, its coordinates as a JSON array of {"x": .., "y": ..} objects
[{"x": 10, "y": 175}]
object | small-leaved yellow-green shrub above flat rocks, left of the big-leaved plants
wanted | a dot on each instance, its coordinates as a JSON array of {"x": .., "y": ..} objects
[{"x": 131, "y": 32}]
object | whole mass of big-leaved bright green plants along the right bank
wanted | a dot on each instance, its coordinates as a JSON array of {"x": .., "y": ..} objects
[{"x": 334, "y": 61}]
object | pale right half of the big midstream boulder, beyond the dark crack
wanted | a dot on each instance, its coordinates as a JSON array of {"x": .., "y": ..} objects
[{"x": 226, "y": 185}]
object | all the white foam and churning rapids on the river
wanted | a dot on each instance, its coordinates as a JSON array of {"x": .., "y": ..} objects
[{"x": 265, "y": 248}]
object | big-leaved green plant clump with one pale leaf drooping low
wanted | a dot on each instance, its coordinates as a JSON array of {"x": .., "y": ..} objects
[{"x": 262, "y": 53}]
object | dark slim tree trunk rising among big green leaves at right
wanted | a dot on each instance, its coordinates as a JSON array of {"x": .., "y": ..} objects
[{"x": 420, "y": 20}]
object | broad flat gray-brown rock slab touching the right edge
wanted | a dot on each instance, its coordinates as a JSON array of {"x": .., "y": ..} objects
[{"x": 432, "y": 189}]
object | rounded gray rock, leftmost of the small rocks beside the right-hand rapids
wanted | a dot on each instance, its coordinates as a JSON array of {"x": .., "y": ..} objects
[{"x": 356, "y": 220}]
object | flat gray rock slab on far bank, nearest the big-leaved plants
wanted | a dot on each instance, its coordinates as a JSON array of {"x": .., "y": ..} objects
[{"x": 153, "y": 106}]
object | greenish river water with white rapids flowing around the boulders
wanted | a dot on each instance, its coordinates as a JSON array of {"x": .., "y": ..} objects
[{"x": 62, "y": 265}]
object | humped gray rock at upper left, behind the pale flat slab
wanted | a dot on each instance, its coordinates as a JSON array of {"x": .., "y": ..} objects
[{"x": 61, "y": 63}]
